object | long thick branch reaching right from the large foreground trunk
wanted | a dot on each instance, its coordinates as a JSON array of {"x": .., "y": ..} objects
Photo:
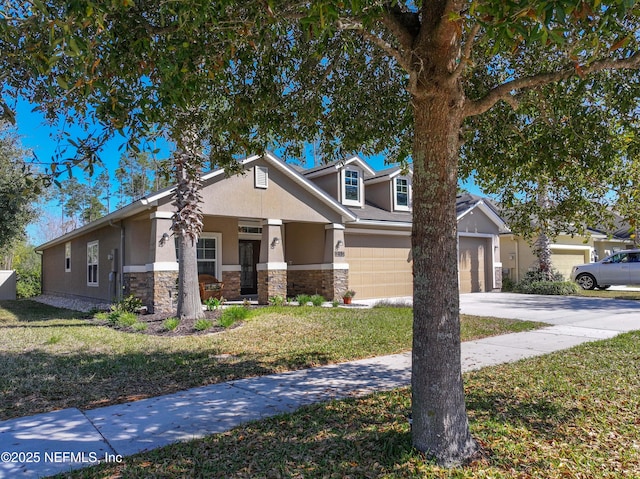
[{"x": 504, "y": 91}]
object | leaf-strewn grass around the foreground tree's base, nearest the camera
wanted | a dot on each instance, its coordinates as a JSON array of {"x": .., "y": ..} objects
[{"x": 572, "y": 414}]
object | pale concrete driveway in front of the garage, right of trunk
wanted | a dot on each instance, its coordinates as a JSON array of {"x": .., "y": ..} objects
[{"x": 596, "y": 313}]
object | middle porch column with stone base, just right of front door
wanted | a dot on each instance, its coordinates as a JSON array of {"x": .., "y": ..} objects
[{"x": 272, "y": 268}]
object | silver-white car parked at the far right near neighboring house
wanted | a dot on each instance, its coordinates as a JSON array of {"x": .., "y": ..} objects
[{"x": 620, "y": 268}]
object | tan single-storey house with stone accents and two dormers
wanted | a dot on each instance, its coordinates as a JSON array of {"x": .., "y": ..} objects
[{"x": 271, "y": 231}]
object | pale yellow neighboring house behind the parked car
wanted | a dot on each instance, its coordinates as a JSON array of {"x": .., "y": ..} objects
[{"x": 566, "y": 250}]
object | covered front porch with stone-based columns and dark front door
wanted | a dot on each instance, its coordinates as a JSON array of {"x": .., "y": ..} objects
[{"x": 252, "y": 257}]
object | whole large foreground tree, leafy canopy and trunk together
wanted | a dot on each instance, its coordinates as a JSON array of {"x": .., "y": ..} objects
[{"x": 384, "y": 76}]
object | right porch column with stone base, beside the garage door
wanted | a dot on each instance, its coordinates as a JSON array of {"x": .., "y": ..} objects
[{"x": 335, "y": 269}]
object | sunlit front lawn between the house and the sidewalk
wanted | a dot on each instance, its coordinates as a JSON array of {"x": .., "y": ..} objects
[{"x": 52, "y": 359}]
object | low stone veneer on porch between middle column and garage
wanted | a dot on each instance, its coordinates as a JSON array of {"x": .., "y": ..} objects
[{"x": 330, "y": 283}]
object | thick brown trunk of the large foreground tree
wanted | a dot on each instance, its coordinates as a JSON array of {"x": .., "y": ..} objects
[{"x": 440, "y": 425}]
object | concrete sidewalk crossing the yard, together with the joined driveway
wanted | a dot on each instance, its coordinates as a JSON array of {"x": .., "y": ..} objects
[{"x": 55, "y": 442}]
